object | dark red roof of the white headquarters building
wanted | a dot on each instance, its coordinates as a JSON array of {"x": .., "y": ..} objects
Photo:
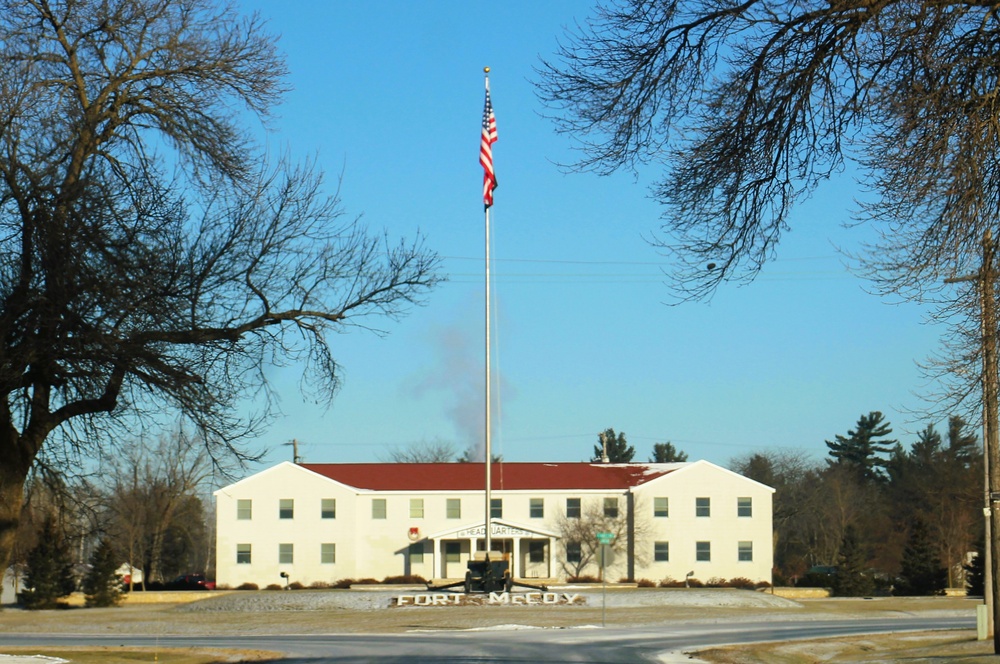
[{"x": 505, "y": 476}]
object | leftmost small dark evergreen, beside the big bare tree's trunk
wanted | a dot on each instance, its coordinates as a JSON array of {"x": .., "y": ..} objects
[{"x": 50, "y": 570}]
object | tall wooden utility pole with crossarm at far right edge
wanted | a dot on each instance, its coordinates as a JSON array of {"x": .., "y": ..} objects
[{"x": 991, "y": 432}]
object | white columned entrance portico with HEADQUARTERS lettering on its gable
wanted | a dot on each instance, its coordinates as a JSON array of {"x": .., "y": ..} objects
[{"x": 529, "y": 550}]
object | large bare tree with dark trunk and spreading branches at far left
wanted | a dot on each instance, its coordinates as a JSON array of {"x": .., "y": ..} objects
[{"x": 150, "y": 260}]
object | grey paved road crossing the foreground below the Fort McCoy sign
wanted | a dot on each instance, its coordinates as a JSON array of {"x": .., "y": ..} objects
[{"x": 543, "y": 645}]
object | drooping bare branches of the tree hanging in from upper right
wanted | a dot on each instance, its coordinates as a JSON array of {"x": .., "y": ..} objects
[{"x": 751, "y": 105}]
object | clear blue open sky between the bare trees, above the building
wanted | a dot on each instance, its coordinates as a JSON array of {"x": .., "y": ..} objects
[{"x": 389, "y": 95}]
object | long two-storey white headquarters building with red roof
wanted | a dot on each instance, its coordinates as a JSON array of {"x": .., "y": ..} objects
[{"x": 326, "y": 522}]
